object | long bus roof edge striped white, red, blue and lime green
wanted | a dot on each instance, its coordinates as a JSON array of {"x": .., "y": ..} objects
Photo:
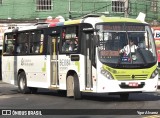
[{"x": 91, "y": 20}]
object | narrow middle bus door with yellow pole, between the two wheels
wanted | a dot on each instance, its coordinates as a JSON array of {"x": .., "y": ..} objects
[{"x": 54, "y": 61}]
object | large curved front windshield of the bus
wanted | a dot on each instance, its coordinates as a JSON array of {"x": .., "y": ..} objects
[{"x": 126, "y": 45}]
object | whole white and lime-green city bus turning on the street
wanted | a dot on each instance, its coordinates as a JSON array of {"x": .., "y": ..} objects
[{"x": 82, "y": 56}]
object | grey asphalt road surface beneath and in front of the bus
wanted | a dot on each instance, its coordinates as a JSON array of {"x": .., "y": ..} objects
[{"x": 94, "y": 104}]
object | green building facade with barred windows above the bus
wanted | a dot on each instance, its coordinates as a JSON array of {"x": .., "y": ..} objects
[{"x": 33, "y": 10}]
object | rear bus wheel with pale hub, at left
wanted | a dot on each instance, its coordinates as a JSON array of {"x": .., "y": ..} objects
[{"x": 22, "y": 83}]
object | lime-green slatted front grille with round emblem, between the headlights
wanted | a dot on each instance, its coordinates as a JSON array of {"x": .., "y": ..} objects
[{"x": 131, "y": 77}]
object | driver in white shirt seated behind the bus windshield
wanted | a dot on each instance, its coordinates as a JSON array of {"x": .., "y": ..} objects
[{"x": 131, "y": 47}]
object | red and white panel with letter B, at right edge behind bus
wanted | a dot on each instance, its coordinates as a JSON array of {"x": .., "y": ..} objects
[{"x": 156, "y": 35}]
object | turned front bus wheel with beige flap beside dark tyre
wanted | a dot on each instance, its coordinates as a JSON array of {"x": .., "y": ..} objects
[{"x": 73, "y": 89}]
